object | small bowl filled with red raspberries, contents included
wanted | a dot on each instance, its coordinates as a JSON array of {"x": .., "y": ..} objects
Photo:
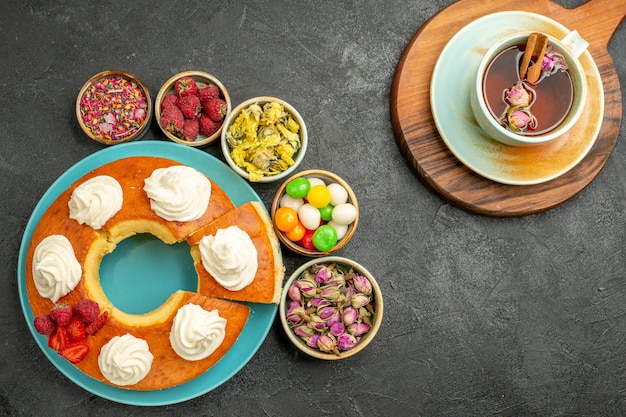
[{"x": 190, "y": 108}]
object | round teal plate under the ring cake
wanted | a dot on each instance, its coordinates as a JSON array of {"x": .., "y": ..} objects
[{"x": 139, "y": 252}]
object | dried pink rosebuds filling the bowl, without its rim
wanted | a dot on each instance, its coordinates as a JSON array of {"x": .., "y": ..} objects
[{"x": 330, "y": 307}]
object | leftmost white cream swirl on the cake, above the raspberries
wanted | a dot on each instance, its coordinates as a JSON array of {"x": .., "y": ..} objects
[{"x": 56, "y": 270}]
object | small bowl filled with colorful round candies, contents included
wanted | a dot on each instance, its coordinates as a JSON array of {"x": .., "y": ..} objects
[{"x": 315, "y": 213}]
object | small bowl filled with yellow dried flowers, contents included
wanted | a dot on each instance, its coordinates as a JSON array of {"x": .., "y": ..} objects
[{"x": 264, "y": 139}]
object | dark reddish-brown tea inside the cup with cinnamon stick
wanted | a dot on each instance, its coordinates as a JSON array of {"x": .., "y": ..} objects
[{"x": 550, "y": 98}]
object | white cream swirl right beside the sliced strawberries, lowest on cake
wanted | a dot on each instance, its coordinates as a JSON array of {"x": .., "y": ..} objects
[{"x": 125, "y": 360}]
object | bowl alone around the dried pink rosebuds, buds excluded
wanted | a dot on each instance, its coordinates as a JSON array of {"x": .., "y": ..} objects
[{"x": 376, "y": 305}]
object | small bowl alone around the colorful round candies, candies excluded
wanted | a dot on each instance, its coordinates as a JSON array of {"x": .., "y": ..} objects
[{"x": 328, "y": 178}]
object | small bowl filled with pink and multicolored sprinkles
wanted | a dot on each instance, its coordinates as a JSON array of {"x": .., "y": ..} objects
[{"x": 114, "y": 107}]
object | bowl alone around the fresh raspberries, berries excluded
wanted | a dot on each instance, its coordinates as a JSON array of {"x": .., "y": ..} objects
[{"x": 202, "y": 79}]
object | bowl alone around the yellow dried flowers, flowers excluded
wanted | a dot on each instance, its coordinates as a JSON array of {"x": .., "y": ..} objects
[{"x": 261, "y": 101}]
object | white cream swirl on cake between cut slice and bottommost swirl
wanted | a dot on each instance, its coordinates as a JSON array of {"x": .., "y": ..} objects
[{"x": 196, "y": 332}]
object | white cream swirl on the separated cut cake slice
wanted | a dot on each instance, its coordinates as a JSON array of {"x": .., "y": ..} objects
[{"x": 230, "y": 256}]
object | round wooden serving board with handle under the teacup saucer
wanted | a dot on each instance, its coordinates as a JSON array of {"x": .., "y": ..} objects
[{"x": 421, "y": 145}]
